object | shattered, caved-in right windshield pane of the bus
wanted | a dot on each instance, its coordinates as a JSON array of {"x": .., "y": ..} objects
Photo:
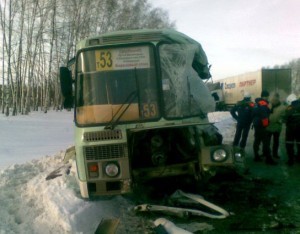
[{"x": 184, "y": 93}]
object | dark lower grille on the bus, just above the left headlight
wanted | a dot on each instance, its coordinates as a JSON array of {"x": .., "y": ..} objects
[{"x": 101, "y": 152}]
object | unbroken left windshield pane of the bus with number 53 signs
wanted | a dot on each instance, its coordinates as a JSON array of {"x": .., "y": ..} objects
[{"x": 107, "y": 78}]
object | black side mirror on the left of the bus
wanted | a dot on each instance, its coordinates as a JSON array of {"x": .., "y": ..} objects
[{"x": 66, "y": 86}]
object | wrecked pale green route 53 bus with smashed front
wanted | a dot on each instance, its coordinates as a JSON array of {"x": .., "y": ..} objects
[{"x": 141, "y": 111}]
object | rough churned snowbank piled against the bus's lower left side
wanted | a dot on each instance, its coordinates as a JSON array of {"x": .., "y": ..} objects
[{"x": 31, "y": 204}]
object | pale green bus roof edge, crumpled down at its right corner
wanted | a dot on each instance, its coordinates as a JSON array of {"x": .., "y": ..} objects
[{"x": 200, "y": 62}]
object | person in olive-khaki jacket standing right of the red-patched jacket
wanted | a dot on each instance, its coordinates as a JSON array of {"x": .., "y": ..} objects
[{"x": 275, "y": 125}]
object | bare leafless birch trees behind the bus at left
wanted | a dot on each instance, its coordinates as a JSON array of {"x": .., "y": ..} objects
[{"x": 39, "y": 36}]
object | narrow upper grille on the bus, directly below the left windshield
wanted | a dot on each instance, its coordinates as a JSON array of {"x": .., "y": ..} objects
[{"x": 102, "y": 135}]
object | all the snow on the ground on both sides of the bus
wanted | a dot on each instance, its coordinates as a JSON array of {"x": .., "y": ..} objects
[{"x": 30, "y": 203}]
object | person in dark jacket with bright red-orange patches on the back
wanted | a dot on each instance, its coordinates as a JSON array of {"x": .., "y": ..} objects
[{"x": 261, "y": 112}]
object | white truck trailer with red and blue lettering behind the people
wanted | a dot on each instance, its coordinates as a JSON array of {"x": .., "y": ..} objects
[{"x": 231, "y": 90}]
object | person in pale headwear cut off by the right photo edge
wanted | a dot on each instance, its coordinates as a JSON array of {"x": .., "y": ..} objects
[{"x": 292, "y": 119}]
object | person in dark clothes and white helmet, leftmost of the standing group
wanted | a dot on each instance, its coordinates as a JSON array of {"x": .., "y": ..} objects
[{"x": 242, "y": 113}]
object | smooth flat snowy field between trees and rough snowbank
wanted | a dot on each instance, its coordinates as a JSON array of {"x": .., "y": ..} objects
[{"x": 26, "y": 137}]
